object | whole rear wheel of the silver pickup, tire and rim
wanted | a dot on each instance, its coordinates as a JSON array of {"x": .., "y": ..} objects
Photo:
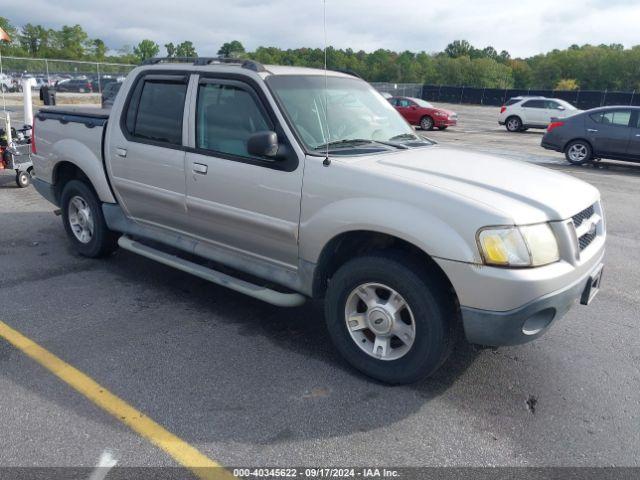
[{"x": 84, "y": 222}]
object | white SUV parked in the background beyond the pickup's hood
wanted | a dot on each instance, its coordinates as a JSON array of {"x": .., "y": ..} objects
[{"x": 520, "y": 113}]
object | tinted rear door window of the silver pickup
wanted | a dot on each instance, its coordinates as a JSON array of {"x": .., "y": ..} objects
[{"x": 156, "y": 111}]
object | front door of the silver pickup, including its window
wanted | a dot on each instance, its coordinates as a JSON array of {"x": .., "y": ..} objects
[{"x": 235, "y": 200}]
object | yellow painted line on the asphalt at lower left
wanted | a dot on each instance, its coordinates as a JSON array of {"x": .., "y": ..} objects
[{"x": 183, "y": 453}]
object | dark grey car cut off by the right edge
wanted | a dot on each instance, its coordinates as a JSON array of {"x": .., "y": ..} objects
[{"x": 606, "y": 132}]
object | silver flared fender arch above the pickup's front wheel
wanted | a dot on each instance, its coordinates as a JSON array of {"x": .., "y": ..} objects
[{"x": 405, "y": 221}]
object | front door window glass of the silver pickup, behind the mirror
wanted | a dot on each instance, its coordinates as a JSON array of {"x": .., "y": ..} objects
[{"x": 226, "y": 116}]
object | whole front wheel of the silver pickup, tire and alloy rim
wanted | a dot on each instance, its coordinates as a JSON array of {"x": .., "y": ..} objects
[{"x": 389, "y": 320}]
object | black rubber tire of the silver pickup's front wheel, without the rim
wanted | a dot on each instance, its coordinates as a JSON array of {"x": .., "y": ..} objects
[{"x": 428, "y": 300}]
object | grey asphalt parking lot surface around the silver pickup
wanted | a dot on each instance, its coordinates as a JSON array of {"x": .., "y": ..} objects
[{"x": 247, "y": 383}]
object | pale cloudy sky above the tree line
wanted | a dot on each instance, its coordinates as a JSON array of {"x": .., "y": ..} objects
[{"x": 521, "y": 27}]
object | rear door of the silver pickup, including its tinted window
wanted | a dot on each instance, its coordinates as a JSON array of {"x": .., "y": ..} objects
[{"x": 146, "y": 152}]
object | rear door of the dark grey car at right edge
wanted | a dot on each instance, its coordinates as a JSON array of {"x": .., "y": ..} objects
[{"x": 609, "y": 131}]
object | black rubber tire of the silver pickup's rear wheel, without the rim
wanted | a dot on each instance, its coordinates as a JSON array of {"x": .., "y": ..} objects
[{"x": 103, "y": 241}]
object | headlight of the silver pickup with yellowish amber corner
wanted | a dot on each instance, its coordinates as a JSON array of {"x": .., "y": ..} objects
[{"x": 528, "y": 246}]
